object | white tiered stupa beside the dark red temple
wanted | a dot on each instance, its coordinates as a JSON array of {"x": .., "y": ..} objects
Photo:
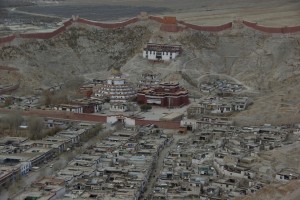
[{"x": 116, "y": 88}]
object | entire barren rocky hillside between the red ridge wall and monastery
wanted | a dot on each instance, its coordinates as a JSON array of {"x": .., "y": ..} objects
[{"x": 268, "y": 65}]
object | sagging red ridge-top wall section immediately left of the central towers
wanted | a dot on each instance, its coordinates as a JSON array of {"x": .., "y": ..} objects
[{"x": 108, "y": 25}]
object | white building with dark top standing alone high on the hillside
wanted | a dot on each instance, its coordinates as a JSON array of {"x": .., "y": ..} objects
[{"x": 161, "y": 51}]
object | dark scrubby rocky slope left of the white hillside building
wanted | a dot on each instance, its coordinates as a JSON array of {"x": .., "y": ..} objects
[{"x": 75, "y": 52}]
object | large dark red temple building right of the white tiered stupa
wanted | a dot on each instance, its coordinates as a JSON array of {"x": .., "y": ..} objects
[{"x": 169, "y": 95}]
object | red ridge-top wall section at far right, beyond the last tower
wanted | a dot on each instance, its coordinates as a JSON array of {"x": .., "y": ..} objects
[{"x": 266, "y": 29}]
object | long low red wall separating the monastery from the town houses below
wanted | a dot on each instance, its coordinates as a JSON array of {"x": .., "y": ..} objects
[{"x": 90, "y": 117}]
